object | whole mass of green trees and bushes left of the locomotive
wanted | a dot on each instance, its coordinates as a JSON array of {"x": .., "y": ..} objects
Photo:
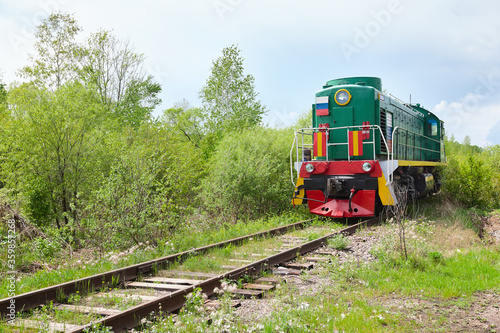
[{"x": 82, "y": 157}]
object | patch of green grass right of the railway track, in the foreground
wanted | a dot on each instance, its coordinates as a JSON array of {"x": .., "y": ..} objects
[{"x": 354, "y": 300}]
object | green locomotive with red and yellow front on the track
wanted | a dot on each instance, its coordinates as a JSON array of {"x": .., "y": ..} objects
[{"x": 364, "y": 148}]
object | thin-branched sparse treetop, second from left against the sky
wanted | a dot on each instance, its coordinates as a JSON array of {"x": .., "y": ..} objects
[{"x": 116, "y": 72}]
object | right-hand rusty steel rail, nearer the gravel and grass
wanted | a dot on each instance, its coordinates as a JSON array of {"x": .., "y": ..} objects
[{"x": 131, "y": 318}]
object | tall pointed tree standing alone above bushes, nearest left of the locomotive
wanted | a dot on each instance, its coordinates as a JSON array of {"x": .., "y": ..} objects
[{"x": 229, "y": 98}]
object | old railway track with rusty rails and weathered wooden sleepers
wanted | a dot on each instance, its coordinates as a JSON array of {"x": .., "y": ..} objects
[{"x": 174, "y": 289}]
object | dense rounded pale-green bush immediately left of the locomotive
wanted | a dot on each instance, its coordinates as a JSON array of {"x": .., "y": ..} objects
[{"x": 248, "y": 175}]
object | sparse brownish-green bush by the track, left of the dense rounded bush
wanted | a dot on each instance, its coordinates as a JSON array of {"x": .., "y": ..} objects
[{"x": 123, "y": 207}]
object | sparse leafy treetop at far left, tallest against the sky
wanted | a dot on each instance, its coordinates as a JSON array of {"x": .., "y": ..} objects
[{"x": 55, "y": 62}]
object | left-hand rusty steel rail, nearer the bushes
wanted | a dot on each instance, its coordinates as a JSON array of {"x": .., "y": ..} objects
[{"x": 30, "y": 300}]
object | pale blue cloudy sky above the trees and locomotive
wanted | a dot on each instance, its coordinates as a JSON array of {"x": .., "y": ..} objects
[{"x": 444, "y": 55}]
